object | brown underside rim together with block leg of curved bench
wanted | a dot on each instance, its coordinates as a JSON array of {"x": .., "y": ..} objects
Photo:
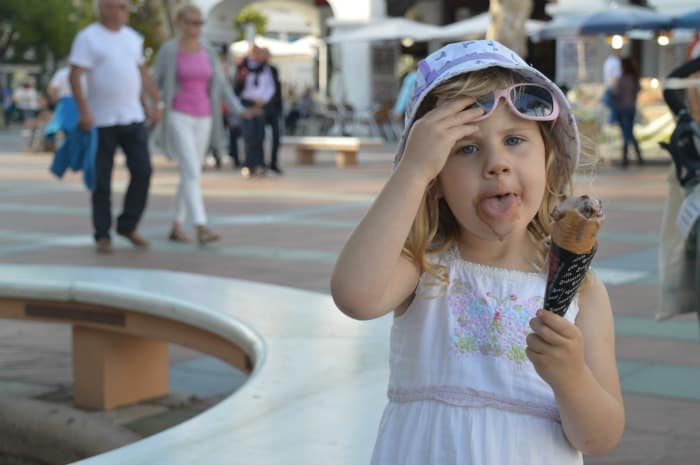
[{"x": 120, "y": 357}]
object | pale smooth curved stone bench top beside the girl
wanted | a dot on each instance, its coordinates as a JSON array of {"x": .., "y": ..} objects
[{"x": 317, "y": 381}]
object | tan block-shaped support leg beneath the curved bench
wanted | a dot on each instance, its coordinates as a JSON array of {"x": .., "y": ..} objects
[{"x": 112, "y": 369}]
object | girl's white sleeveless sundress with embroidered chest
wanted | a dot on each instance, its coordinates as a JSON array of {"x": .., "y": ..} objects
[{"x": 461, "y": 389}]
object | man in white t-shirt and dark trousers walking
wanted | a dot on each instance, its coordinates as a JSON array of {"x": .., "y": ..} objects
[{"x": 110, "y": 54}]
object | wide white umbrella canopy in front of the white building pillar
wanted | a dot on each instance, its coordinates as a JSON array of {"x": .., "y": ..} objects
[{"x": 386, "y": 29}]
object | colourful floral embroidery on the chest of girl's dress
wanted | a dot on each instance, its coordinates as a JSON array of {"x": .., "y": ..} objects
[{"x": 490, "y": 324}]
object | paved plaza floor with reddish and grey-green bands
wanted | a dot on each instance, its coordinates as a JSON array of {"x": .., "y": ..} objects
[{"x": 288, "y": 230}]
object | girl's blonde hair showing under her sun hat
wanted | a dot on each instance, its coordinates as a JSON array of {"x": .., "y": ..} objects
[{"x": 435, "y": 228}]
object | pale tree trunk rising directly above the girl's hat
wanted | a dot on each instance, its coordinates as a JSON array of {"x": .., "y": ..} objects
[{"x": 508, "y": 18}]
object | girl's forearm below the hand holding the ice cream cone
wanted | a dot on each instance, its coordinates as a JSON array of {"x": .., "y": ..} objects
[{"x": 593, "y": 419}]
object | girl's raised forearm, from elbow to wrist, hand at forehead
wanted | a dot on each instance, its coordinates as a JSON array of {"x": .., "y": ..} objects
[{"x": 365, "y": 265}]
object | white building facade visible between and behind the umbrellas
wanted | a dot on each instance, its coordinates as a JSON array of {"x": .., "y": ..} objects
[{"x": 366, "y": 73}]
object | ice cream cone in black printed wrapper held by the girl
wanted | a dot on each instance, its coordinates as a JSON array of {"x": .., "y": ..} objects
[{"x": 574, "y": 244}]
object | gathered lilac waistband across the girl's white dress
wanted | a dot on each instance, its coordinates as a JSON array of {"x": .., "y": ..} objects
[{"x": 468, "y": 397}]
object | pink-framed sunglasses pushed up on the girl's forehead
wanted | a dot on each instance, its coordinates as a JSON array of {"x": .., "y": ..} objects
[{"x": 529, "y": 101}]
